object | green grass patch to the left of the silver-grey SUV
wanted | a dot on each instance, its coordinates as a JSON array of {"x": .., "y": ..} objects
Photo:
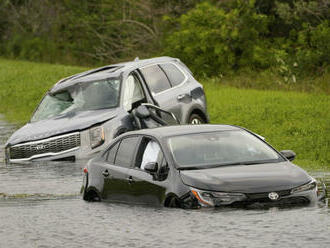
[{"x": 23, "y": 84}]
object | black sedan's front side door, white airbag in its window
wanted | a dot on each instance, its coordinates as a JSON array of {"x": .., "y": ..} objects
[{"x": 148, "y": 187}]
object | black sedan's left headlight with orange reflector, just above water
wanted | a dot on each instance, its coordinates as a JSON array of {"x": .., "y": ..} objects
[{"x": 212, "y": 198}]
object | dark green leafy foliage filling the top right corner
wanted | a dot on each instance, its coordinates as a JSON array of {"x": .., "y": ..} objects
[{"x": 306, "y": 36}]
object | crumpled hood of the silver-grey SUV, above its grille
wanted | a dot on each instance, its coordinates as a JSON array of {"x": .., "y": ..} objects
[{"x": 71, "y": 121}]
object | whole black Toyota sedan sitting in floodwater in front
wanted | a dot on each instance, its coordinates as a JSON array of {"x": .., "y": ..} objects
[{"x": 196, "y": 166}]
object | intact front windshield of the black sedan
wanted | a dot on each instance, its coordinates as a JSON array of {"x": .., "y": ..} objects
[{"x": 206, "y": 150}]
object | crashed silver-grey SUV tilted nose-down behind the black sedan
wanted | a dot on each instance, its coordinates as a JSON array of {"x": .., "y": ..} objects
[{"x": 81, "y": 114}]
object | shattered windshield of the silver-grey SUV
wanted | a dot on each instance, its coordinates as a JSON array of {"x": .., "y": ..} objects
[{"x": 79, "y": 97}]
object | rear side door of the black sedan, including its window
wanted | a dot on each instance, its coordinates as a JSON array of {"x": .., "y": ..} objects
[{"x": 119, "y": 159}]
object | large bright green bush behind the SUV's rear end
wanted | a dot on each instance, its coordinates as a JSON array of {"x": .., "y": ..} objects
[{"x": 214, "y": 41}]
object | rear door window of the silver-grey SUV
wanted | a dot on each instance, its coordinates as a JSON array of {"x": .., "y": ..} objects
[{"x": 155, "y": 78}]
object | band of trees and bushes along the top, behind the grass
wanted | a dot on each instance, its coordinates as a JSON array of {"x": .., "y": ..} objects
[{"x": 215, "y": 37}]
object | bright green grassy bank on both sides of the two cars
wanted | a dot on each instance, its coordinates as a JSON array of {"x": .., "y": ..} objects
[{"x": 288, "y": 119}]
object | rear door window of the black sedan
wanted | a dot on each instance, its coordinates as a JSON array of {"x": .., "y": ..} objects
[{"x": 126, "y": 151}]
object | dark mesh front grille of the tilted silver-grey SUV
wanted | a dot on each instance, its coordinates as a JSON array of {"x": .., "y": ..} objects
[{"x": 51, "y": 146}]
